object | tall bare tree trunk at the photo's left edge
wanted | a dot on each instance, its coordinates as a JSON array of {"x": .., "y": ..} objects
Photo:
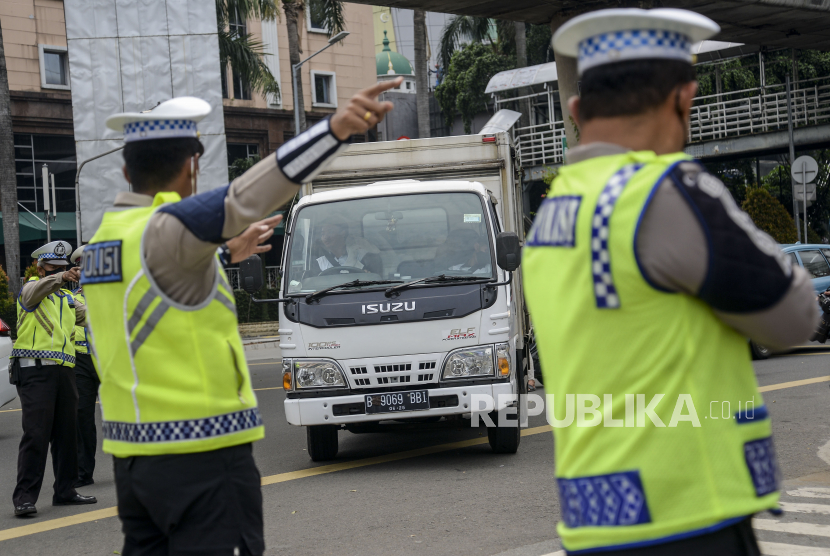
[{"x": 8, "y": 177}]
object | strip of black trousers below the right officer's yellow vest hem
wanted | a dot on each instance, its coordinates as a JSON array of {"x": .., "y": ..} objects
[{"x": 735, "y": 540}]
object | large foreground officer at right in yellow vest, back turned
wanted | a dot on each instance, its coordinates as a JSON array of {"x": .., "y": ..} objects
[{"x": 644, "y": 280}]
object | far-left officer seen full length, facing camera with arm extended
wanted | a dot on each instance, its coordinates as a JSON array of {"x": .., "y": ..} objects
[{"x": 44, "y": 350}]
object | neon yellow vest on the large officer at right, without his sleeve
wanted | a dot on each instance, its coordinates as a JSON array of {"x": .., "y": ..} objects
[{"x": 624, "y": 352}]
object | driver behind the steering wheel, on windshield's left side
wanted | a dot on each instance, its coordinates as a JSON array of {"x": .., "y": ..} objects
[{"x": 337, "y": 248}]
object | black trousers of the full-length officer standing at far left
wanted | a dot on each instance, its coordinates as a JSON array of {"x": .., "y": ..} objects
[{"x": 49, "y": 401}]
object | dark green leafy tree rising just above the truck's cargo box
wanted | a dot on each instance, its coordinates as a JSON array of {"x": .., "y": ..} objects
[{"x": 463, "y": 87}]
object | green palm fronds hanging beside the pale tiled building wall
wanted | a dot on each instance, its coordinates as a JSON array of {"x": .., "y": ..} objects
[{"x": 243, "y": 52}]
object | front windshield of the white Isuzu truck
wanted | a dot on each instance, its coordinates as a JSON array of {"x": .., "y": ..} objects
[{"x": 400, "y": 238}]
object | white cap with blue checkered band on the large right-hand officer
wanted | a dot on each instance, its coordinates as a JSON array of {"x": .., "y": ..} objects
[{"x": 621, "y": 34}]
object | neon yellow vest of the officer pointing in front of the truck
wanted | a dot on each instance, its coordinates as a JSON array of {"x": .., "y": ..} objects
[{"x": 173, "y": 377}]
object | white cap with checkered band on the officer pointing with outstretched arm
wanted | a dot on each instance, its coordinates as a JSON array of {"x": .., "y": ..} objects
[{"x": 174, "y": 118}]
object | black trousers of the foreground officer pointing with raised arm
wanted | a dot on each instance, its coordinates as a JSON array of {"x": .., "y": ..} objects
[{"x": 208, "y": 503}]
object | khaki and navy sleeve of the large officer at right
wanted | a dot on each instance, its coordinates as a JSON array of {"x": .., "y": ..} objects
[{"x": 694, "y": 239}]
